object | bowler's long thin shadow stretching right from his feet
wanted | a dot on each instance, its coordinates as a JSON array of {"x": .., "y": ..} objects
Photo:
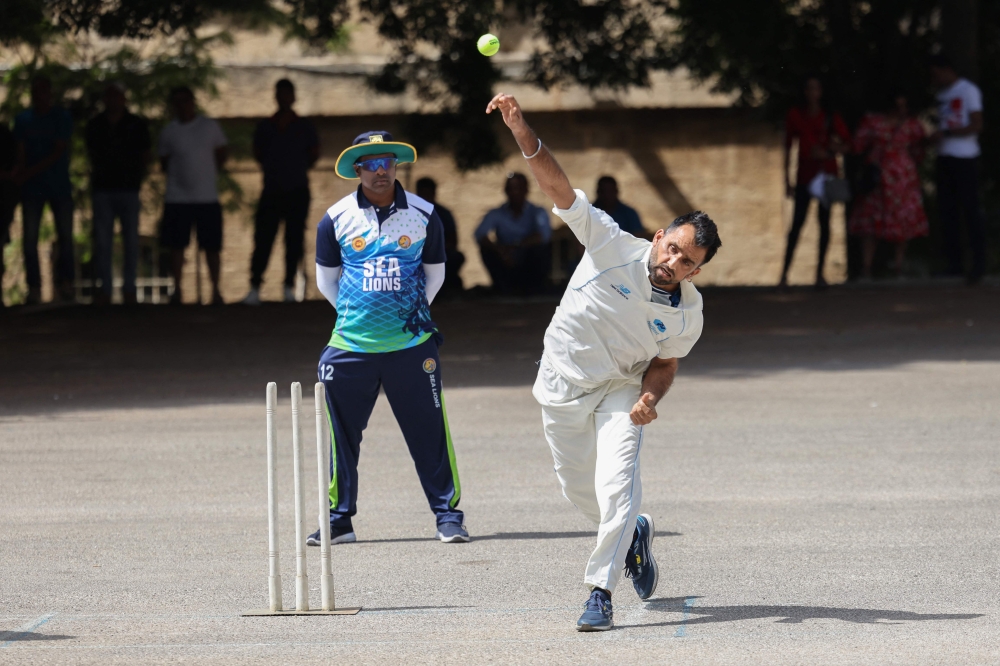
[{"x": 787, "y": 614}]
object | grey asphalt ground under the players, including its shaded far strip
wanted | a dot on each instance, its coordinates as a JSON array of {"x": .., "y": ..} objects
[{"x": 824, "y": 476}]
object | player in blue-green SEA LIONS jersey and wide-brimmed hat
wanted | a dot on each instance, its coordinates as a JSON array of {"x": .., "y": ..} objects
[{"x": 380, "y": 261}]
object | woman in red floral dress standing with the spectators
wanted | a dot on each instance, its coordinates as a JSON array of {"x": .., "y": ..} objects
[{"x": 893, "y": 209}]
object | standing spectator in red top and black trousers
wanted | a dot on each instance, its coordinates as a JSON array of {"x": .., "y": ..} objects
[{"x": 821, "y": 135}]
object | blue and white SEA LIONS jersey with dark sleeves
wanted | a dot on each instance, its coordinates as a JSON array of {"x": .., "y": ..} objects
[{"x": 382, "y": 303}]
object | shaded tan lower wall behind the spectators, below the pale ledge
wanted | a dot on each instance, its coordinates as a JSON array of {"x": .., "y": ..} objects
[{"x": 667, "y": 162}]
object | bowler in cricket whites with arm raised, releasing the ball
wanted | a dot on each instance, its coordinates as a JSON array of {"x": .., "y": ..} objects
[{"x": 611, "y": 350}]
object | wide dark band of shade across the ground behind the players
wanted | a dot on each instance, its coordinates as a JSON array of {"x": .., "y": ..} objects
[{"x": 80, "y": 357}]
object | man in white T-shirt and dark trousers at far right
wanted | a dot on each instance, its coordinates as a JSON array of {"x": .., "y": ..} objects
[{"x": 960, "y": 122}]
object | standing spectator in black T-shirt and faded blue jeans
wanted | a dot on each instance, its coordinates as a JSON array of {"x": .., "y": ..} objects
[{"x": 118, "y": 146}]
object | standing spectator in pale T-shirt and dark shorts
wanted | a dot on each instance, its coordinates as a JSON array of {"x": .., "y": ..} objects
[{"x": 192, "y": 152}]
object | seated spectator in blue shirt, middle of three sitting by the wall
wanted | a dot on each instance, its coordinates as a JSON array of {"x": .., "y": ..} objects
[{"x": 520, "y": 257}]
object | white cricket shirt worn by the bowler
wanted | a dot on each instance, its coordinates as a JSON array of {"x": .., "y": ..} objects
[{"x": 606, "y": 326}]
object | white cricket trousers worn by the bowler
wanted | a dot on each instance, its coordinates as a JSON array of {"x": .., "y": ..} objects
[{"x": 595, "y": 448}]
